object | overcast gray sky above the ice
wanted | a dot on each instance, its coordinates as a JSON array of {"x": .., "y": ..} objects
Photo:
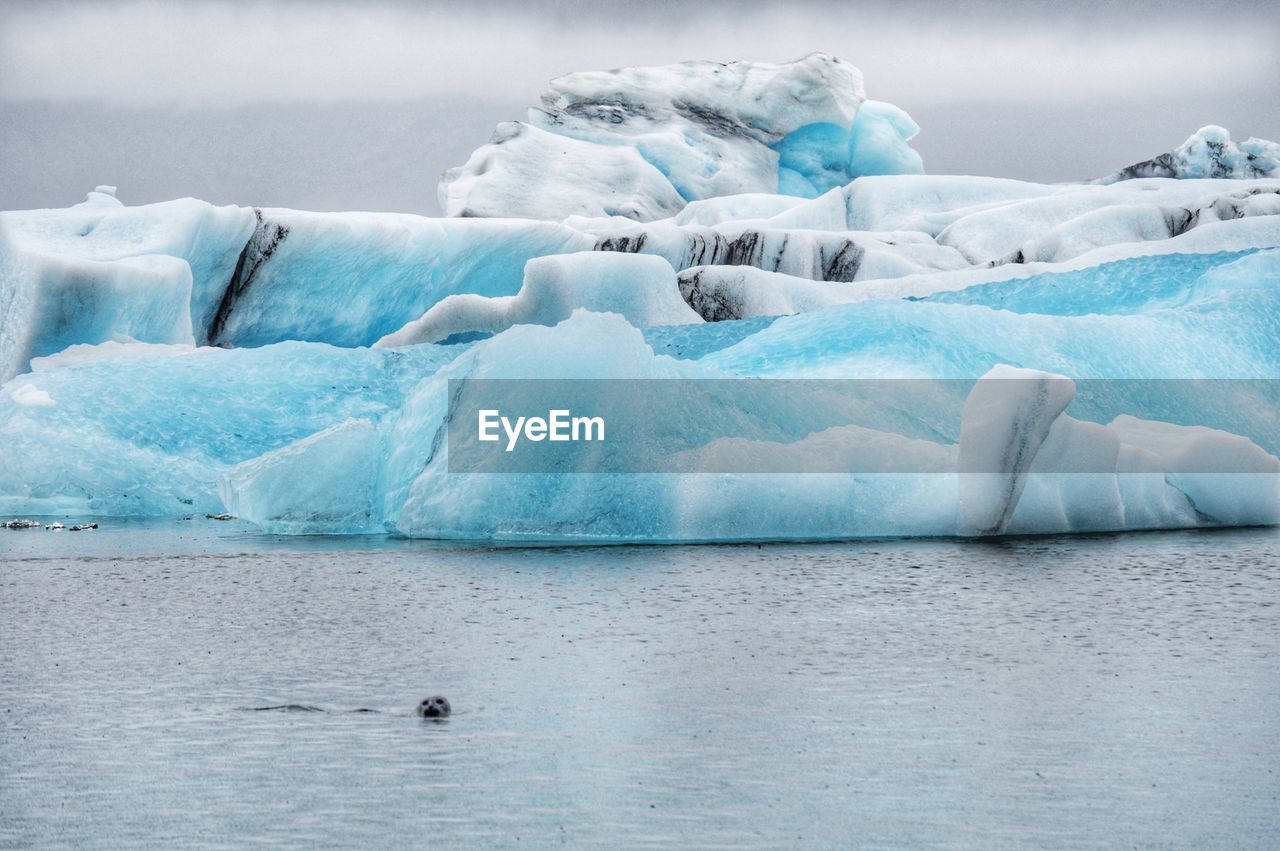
[{"x": 360, "y": 107}]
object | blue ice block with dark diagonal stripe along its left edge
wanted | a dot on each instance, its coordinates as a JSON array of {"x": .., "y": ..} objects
[{"x": 351, "y": 278}]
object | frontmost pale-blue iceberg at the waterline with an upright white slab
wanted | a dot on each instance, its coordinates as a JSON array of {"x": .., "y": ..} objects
[{"x": 1011, "y": 460}]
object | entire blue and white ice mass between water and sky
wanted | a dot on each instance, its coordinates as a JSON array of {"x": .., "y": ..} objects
[{"x": 1072, "y": 358}]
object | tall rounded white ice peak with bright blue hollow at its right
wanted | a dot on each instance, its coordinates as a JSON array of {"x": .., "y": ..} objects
[{"x": 642, "y": 143}]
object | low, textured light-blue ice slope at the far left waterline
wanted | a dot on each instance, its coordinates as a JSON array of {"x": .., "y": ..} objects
[{"x": 138, "y": 431}]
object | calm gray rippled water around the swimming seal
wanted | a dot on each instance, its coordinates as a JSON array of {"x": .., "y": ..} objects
[{"x": 1068, "y": 693}]
